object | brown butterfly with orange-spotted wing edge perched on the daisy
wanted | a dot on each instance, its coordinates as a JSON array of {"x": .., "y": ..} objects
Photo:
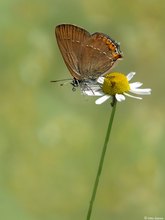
[{"x": 86, "y": 55}]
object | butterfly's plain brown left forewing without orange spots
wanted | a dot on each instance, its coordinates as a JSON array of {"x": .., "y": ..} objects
[{"x": 70, "y": 39}]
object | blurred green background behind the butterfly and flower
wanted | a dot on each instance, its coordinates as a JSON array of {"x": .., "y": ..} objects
[{"x": 51, "y": 138}]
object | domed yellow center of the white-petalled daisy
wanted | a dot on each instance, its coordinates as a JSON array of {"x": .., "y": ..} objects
[{"x": 115, "y": 83}]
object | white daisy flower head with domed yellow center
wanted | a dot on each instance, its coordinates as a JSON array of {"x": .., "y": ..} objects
[{"x": 115, "y": 85}]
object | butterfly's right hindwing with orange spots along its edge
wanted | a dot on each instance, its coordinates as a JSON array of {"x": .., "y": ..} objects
[{"x": 98, "y": 54}]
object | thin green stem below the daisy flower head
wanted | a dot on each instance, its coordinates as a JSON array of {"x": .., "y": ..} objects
[{"x": 101, "y": 161}]
